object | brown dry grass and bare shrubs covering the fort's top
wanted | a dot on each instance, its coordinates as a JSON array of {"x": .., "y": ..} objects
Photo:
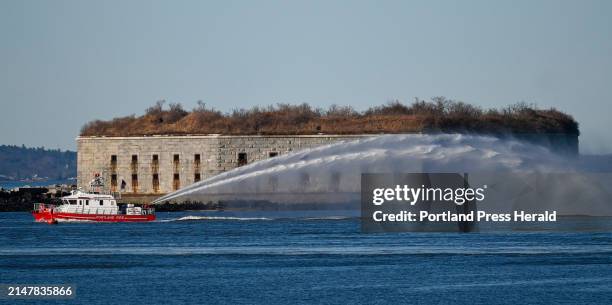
[{"x": 438, "y": 115}]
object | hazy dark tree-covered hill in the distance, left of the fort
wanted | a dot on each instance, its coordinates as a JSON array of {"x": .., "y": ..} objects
[{"x": 20, "y": 162}]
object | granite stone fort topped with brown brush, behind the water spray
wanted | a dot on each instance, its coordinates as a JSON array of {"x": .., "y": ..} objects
[{"x": 163, "y": 150}]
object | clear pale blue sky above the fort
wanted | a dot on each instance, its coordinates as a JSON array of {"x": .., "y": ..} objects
[{"x": 64, "y": 63}]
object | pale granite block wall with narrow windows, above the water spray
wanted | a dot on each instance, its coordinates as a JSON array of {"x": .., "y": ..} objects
[{"x": 130, "y": 160}]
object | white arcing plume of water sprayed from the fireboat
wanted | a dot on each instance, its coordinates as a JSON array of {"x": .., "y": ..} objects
[{"x": 336, "y": 169}]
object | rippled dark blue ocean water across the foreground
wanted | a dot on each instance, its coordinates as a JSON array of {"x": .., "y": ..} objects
[{"x": 249, "y": 258}]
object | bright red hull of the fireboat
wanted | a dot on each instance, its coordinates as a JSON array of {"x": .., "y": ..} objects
[{"x": 49, "y": 217}]
